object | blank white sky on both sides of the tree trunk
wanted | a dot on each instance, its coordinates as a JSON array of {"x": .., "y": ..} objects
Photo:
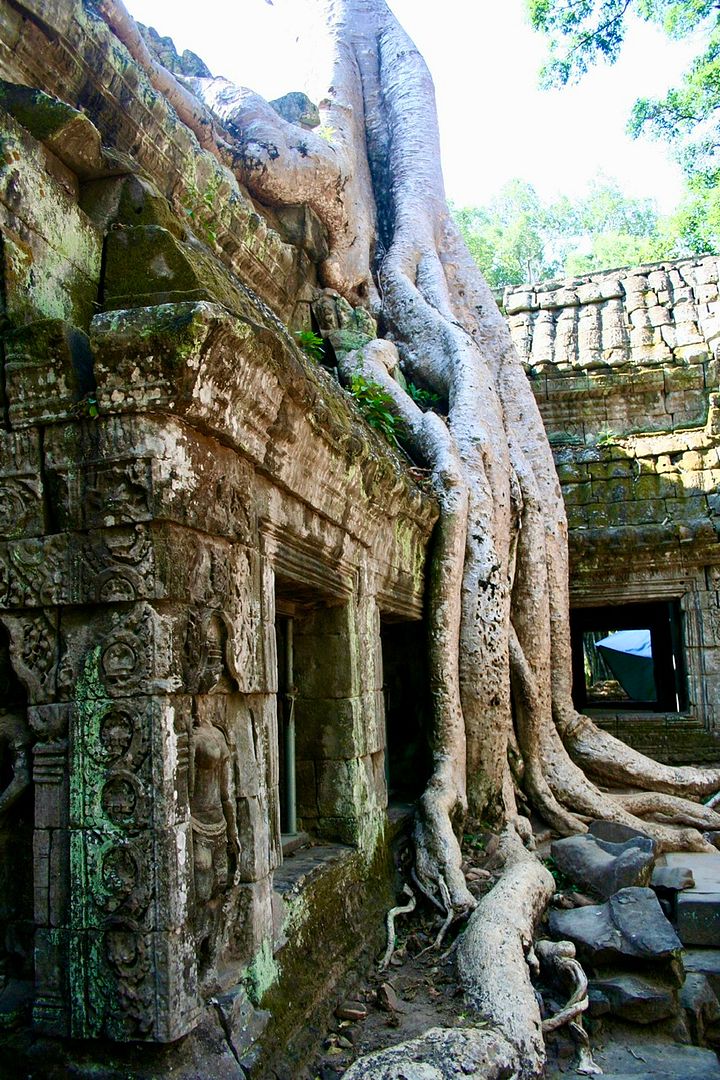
[{"x": 495, "y": 123}]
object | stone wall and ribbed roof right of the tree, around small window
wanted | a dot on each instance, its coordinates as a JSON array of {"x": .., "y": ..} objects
[{"x": 624, "y": 366}]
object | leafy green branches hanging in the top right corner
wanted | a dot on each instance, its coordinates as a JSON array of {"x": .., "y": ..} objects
[{"x": 688, "y": 117}]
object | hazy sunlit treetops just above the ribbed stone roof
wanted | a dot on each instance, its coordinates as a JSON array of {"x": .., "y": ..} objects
[{"x": 518, "y": 238}]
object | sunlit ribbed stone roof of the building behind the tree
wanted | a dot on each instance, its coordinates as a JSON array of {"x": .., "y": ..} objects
[{"x": 622, "y": 352}]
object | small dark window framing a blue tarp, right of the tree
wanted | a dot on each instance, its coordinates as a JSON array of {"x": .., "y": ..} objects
[{"x": 630, "y": 658}]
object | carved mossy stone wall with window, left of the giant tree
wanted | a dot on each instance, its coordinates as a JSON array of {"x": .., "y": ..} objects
[{"x": 179, "y": 481}]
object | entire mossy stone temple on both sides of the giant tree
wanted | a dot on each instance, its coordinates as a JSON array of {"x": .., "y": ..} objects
[{"x": 212, "y": 571}]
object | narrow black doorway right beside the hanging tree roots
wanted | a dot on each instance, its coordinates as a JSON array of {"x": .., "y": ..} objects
[{"x": 406, "y": 691}]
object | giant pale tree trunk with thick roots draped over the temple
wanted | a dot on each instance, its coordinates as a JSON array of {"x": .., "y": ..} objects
[{"x": 499, "y": 647}]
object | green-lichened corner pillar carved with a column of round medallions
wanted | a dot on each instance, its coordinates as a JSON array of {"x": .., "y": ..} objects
[{"x": 132, "y": 965}]
